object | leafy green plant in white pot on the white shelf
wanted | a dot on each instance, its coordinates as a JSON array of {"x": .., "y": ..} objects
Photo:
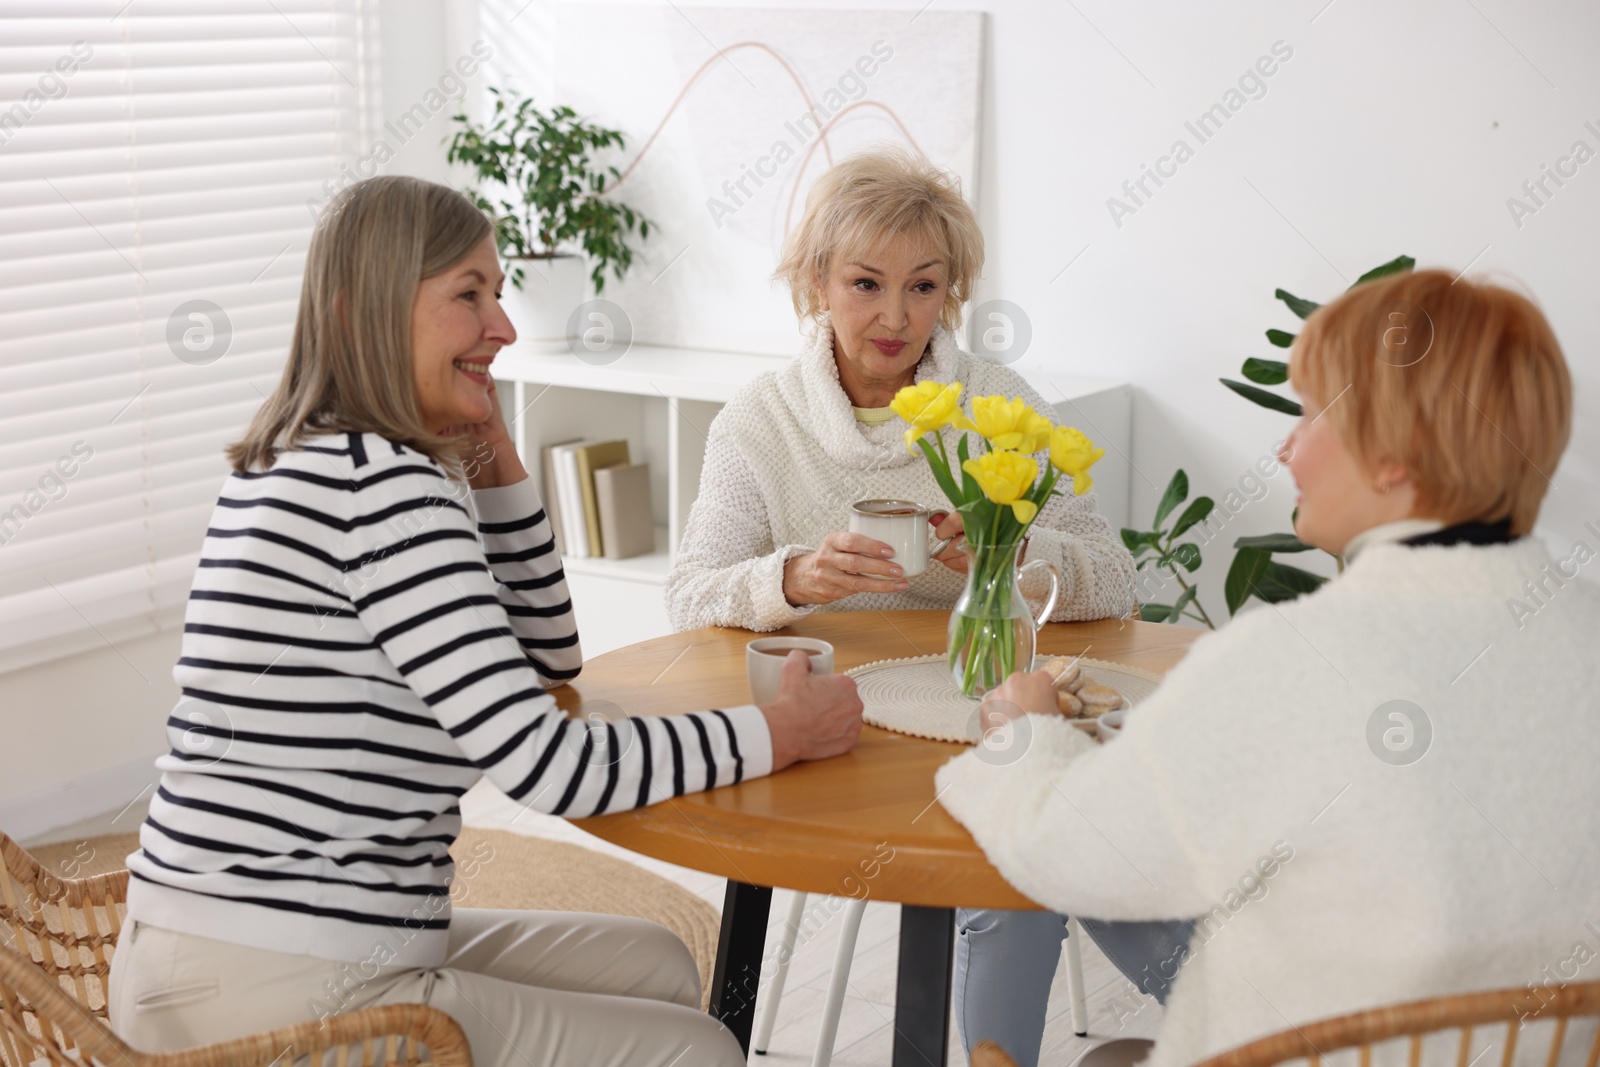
[{"x": 548, "y": 204}]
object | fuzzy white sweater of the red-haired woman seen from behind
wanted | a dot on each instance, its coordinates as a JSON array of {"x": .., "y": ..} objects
[{"x": 1246, "y": 791}]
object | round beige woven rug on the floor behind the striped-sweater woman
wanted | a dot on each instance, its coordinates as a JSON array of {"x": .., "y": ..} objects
[{"x": 506, "y": 871}]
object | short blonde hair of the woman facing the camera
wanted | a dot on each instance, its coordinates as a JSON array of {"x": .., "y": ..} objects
[{"x": 870, "y": 199}]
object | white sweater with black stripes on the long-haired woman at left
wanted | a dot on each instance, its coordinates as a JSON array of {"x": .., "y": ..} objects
[{"x": 358, "y": 652}]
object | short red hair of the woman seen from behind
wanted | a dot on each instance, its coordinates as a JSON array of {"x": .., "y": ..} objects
[{"x": 1463, "y": 383}]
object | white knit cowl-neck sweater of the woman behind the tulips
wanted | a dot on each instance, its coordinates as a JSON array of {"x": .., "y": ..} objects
[{"x": 785, "y": 463}]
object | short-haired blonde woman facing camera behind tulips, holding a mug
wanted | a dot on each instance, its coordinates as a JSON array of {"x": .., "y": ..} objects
[{"x": 879, "y": 270}]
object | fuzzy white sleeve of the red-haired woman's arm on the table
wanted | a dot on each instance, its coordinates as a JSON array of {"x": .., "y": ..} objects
[{"x": 1198, "y": 793}]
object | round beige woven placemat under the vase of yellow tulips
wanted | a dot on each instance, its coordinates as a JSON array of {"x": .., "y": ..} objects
[{"x": 919, "y": 697}]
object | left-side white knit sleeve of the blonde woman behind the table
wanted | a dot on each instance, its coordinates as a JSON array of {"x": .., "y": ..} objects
[{"x": 727, "y": 570}]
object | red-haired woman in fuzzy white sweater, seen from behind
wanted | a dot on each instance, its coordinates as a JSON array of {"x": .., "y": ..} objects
[{"x": 1386, "y": 789}]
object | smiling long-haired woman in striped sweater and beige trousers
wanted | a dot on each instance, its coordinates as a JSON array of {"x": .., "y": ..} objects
[{"x": 375, "y": 626}]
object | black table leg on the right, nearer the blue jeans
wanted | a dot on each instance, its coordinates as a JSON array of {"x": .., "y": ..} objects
[{"x": 922, "y": 996}]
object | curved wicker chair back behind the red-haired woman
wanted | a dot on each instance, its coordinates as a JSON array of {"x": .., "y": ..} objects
[{"x": 1415, "y": 1021}]
